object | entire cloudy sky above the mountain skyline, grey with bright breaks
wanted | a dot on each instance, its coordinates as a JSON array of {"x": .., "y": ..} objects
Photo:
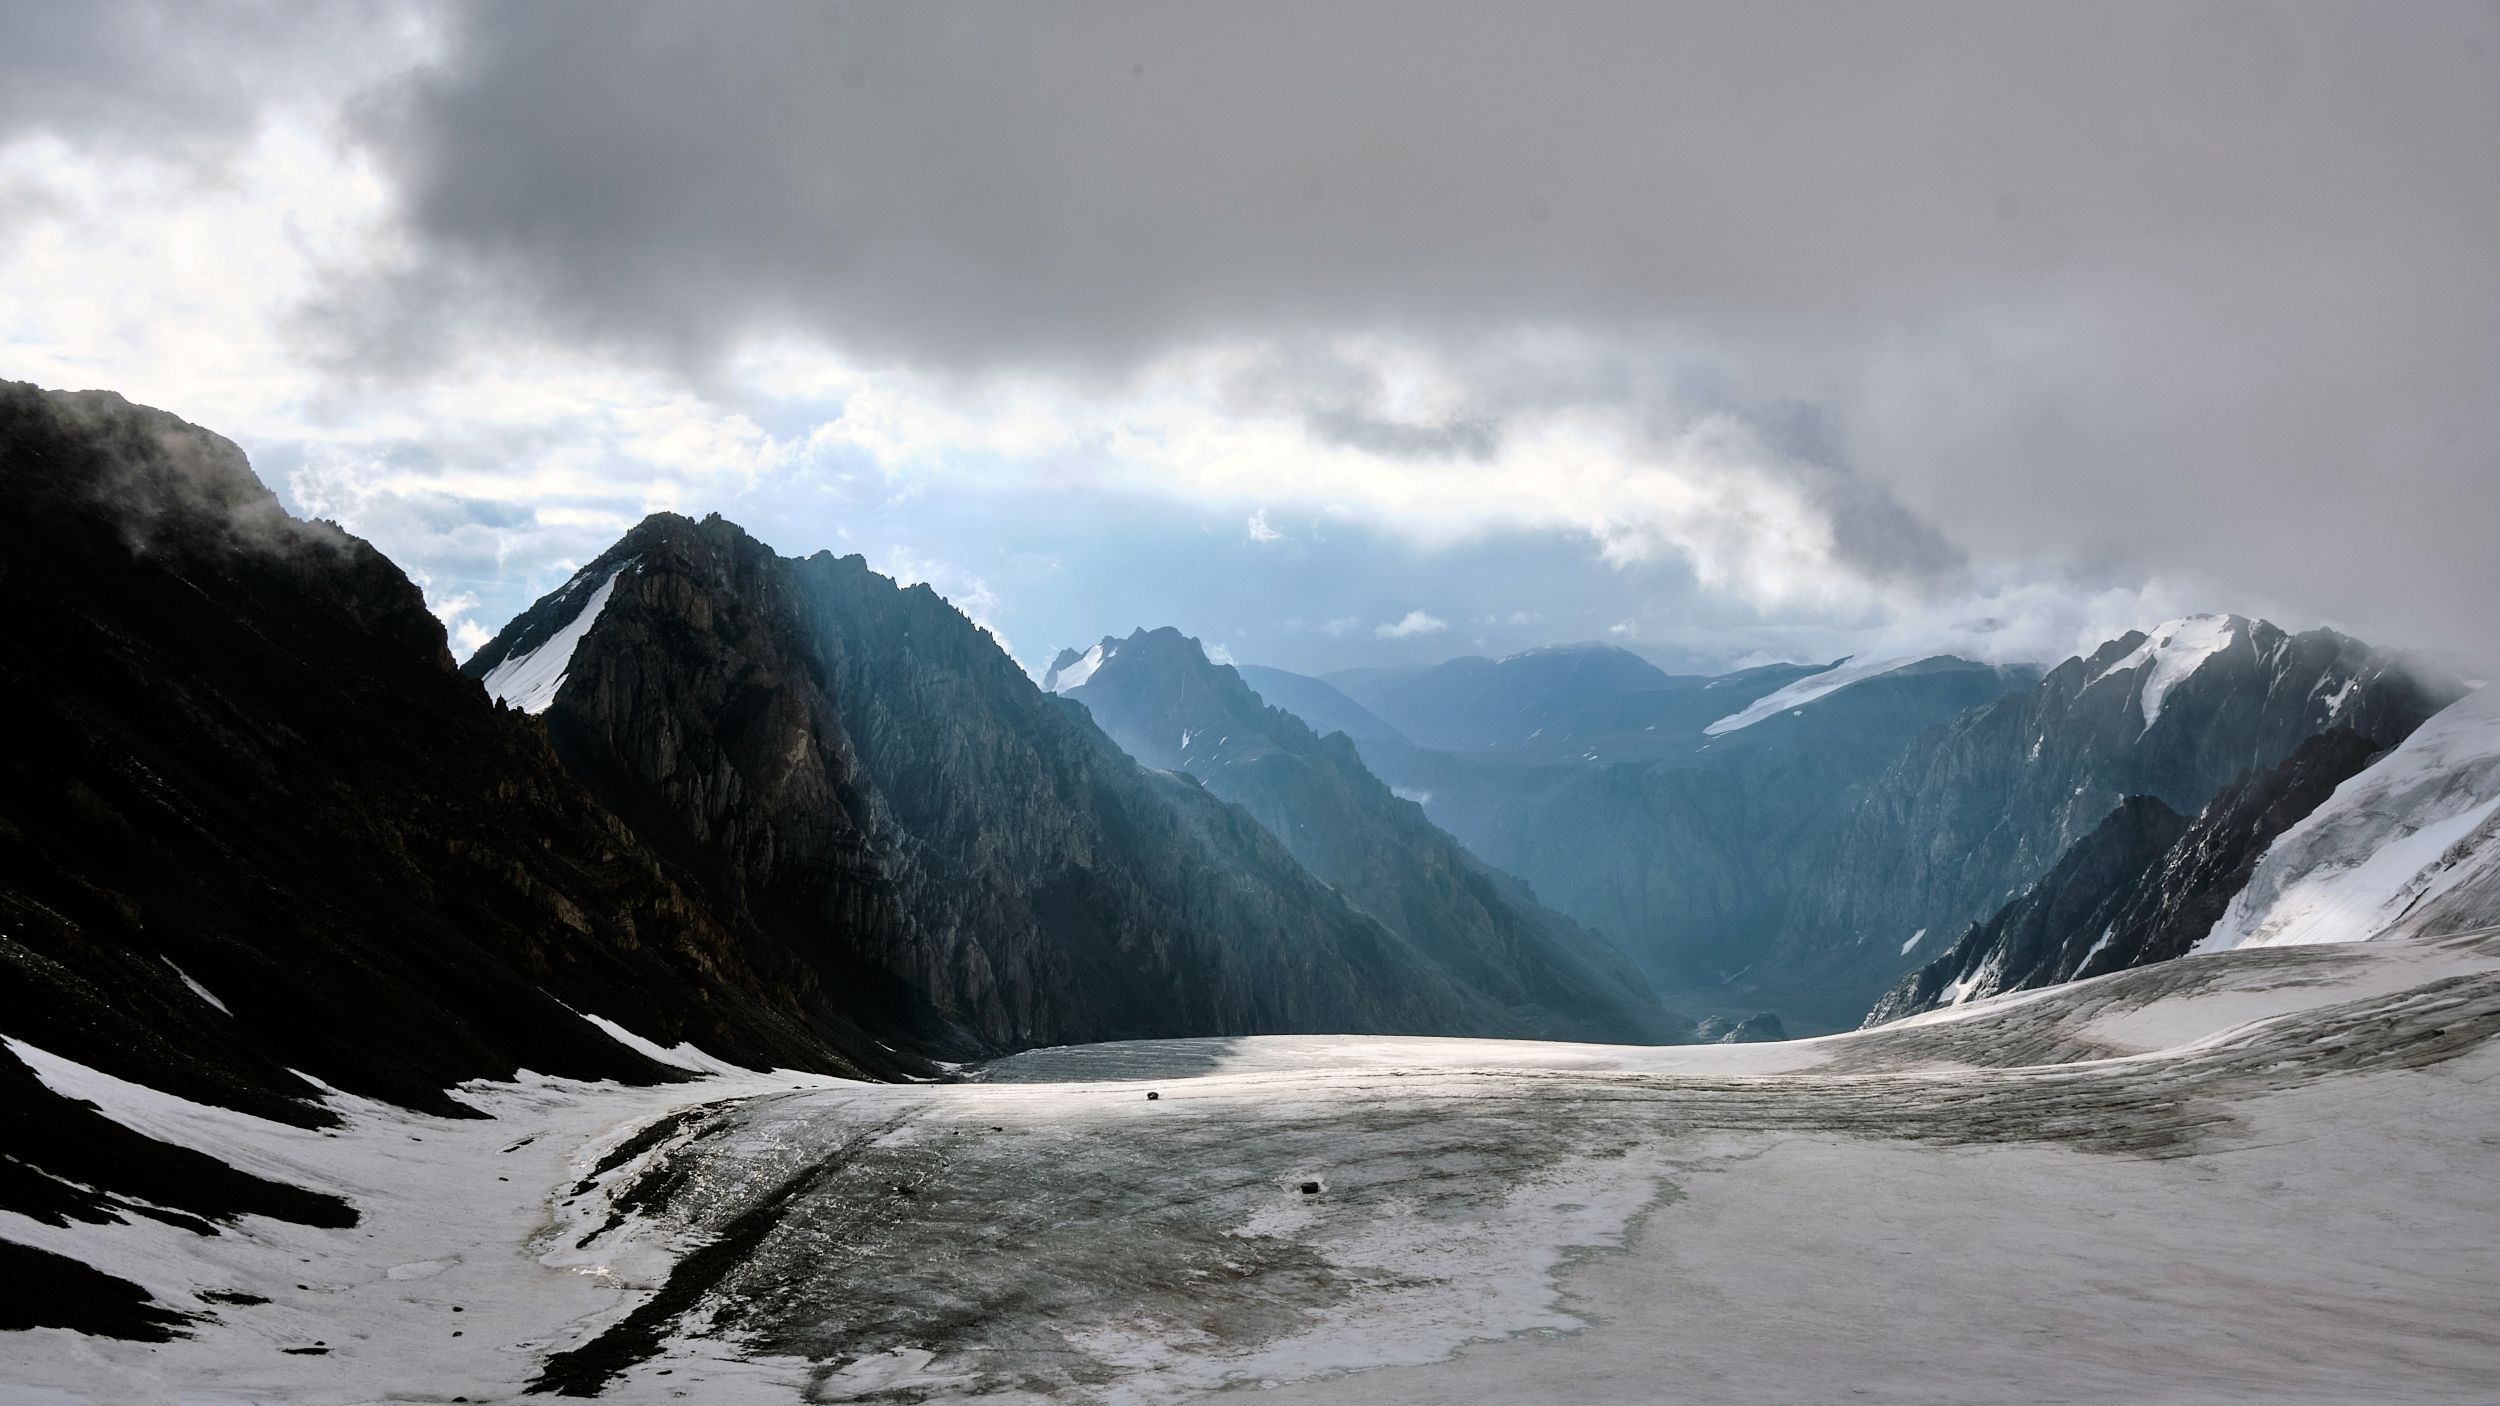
[{"x": 1331, "y": 334}]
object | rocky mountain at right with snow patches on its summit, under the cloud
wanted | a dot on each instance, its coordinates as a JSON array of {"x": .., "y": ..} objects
[{"x": 1979, "y": 812}]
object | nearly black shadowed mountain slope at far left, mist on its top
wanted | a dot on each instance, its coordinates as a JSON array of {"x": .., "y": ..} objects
[{"x": 261, "y": 842}]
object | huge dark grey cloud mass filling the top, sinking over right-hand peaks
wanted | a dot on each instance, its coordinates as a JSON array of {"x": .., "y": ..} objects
[{"x": 2191, "y": 289}]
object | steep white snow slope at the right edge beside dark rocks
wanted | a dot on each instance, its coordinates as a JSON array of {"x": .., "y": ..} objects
[{"x": 2401, "y": 832}]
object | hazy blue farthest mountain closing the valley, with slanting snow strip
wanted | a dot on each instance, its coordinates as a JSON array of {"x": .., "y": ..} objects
[{"x": 1686, "y": 847}]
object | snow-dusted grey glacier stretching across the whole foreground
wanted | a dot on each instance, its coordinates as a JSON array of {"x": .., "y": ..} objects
[{"x": 2251, "y": 1177}]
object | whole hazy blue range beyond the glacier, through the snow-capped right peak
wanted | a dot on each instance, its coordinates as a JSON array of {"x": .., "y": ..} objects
[{"x": 1801, "y": 837}]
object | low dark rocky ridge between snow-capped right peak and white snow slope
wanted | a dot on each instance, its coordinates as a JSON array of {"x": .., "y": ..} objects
[{"x": 2144, "y": 887}]
